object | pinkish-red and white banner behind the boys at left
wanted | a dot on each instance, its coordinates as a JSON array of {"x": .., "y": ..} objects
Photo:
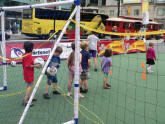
[{"x": 14, "y": 51}]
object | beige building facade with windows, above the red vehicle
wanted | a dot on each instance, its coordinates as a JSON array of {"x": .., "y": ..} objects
[{"x": 128, "y": 9}]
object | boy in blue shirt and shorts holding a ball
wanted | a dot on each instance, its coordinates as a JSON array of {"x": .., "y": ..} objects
[{"x": 54, "y": 63}]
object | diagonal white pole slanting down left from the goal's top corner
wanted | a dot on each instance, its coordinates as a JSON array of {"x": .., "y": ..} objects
[{"x": 44, "y": 69}]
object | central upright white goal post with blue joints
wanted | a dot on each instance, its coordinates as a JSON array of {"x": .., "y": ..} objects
[{"x": 77, "y": 63}]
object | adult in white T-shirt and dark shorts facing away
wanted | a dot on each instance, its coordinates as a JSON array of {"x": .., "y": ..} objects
[{"x": 93, "y": 39}]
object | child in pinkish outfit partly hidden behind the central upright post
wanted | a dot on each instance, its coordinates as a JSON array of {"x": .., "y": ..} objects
[{"x": 71, "y": 68}]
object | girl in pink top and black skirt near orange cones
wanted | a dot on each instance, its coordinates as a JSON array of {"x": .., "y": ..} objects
[{"x": 150, "y": 56}]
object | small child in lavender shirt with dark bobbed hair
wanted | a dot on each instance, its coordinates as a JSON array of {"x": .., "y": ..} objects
[{"x": 106, "y": 64}]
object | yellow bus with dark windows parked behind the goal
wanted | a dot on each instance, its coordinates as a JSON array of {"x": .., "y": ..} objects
[{"x": 44, "y": 22}]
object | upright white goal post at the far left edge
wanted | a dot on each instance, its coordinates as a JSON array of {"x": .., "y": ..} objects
[{"x": 3, "y": 47}]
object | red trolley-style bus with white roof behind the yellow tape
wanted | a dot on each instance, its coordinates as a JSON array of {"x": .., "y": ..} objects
[{"x": 127, "y": 24}]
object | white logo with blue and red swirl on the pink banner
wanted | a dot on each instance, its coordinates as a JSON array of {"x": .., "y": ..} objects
[{"x": 16, "y": 52}]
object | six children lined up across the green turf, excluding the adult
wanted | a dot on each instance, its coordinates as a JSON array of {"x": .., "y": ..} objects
[{"x": 85, "y": 65}]
